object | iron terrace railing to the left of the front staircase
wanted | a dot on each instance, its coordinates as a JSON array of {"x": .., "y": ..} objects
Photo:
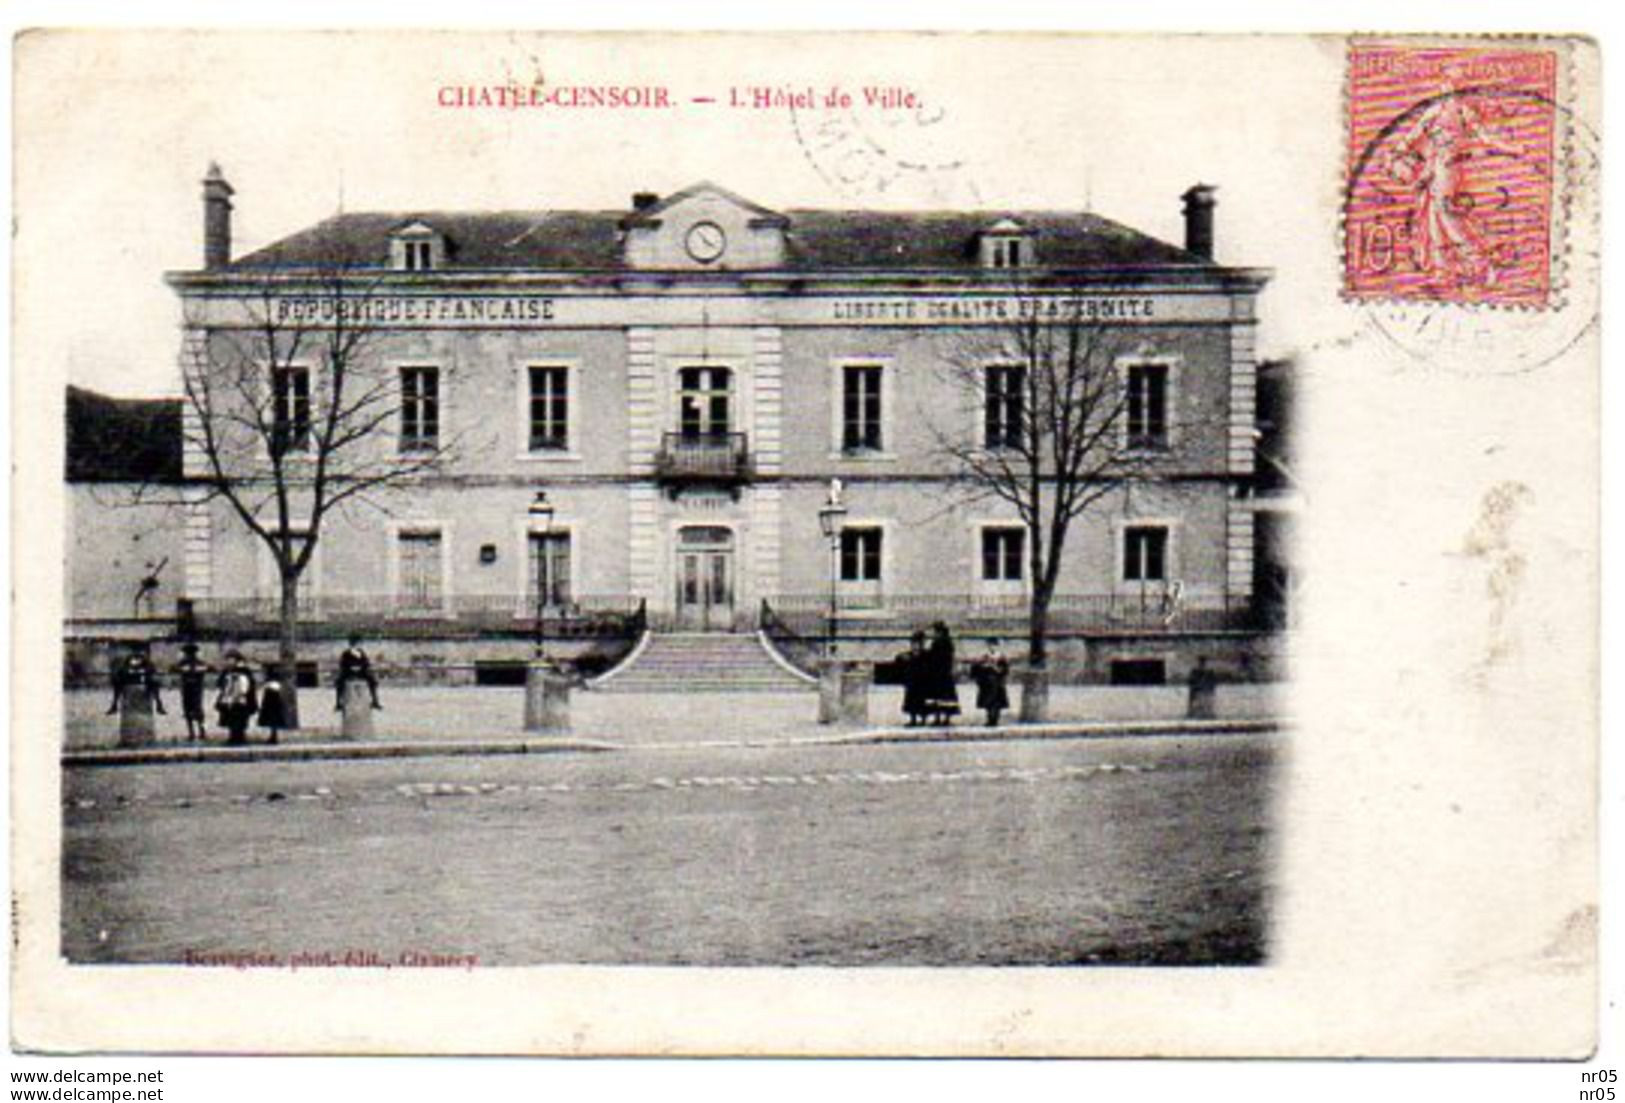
[{"x": 461, "y": 616}]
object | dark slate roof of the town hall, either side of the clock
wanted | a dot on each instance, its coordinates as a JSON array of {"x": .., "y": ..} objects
[{"x": 818, "y": 241}]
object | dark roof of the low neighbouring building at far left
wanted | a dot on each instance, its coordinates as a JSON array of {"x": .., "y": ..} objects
[{"x": 123, "y": 439}]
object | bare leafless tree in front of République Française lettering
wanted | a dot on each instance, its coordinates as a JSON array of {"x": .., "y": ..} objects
[{"x": 292, "y": 415}]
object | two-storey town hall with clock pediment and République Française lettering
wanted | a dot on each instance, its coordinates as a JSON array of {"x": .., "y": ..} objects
[{"x": 683, "y": 381}]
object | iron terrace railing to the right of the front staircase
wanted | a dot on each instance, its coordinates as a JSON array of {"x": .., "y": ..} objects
[{"x": 1155, "y": 612}]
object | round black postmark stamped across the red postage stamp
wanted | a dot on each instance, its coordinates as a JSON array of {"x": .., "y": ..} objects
[{"x": 1471, "y": 230}]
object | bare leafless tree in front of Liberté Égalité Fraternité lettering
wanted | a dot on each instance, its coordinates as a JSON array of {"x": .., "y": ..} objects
[{"x": 1046, "y": 420}]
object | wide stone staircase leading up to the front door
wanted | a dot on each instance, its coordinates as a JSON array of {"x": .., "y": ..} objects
[{"x": 703, "y": 664}]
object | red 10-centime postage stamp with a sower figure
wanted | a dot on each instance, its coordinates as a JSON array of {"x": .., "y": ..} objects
[{"x": 1452, "y": 167}]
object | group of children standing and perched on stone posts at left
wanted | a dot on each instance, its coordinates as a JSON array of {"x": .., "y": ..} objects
[{"x": 241, "y": 699}]
